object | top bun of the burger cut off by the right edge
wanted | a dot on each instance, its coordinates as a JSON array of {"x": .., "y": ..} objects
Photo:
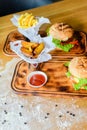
[{"x": 78, "y": 67}]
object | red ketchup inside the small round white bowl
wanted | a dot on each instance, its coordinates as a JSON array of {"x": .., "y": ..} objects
[{"x": 37, "y": 79}]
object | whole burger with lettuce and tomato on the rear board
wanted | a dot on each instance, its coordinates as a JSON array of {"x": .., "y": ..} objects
[{"x": 64, "y": 36}]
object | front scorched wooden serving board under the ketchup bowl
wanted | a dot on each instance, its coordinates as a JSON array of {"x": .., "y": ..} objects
[{"x": 57, "y": 84}]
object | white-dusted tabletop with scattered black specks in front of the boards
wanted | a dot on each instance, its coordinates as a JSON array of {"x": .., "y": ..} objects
[{"x": 38, "y": 113}]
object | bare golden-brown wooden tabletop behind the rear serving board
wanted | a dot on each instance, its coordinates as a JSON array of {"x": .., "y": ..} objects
[{"x": 70, "y": 11}]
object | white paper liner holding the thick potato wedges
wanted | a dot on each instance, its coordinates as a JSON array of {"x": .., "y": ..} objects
[{"x": 43, "y": 56}]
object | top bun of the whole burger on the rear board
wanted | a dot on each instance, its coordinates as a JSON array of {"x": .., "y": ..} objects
[{"x": 61, "y": 31}]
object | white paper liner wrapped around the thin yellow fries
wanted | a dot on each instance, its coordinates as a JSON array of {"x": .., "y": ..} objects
[{"x": 32, "y": 32}]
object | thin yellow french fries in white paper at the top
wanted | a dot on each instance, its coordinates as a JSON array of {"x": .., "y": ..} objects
[{"x": 27, "y": 20}]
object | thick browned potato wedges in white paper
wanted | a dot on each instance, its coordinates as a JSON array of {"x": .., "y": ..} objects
[{"x": 31, "y": 49}]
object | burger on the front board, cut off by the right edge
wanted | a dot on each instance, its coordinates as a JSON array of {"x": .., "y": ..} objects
[{"x": 77, "y": 72}]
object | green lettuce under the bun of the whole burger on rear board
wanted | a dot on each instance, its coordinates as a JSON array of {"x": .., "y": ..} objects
[{"x": 65, "y": 47}]
